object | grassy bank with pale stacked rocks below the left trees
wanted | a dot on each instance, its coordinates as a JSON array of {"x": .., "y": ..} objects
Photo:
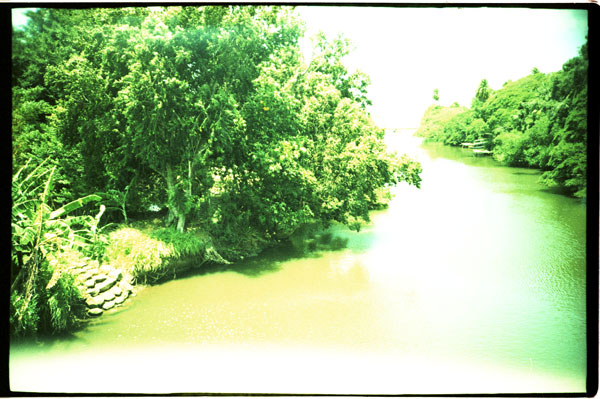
[{"x": 138, "y": 255}]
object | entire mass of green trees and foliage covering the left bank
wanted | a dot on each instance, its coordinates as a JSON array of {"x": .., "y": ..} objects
[{"x": 209, "y": 113}]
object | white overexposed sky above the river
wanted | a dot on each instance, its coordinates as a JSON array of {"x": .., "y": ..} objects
[{"x": 408, "y": 52}]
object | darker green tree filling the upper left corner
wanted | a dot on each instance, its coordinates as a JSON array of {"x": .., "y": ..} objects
[{"x": 64, "y": 66}]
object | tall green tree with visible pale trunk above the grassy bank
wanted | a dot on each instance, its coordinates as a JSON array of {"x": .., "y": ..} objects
[{"x": 183, "y": 96}]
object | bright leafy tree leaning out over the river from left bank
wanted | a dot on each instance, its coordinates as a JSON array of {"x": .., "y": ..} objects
[{"x": 307, "y": 137}]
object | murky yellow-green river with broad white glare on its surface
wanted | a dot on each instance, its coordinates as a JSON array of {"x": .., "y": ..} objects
[{"x": 474, "y": 283}]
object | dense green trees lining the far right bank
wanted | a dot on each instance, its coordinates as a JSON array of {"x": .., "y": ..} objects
[{"x": 538, "y": 121}]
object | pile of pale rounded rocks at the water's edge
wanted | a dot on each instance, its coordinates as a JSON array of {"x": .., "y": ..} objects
[{"x": 103, "y": 287}]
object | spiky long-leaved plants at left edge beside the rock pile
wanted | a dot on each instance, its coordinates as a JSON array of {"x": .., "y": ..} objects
[{"x": 44, "y": 241}]
